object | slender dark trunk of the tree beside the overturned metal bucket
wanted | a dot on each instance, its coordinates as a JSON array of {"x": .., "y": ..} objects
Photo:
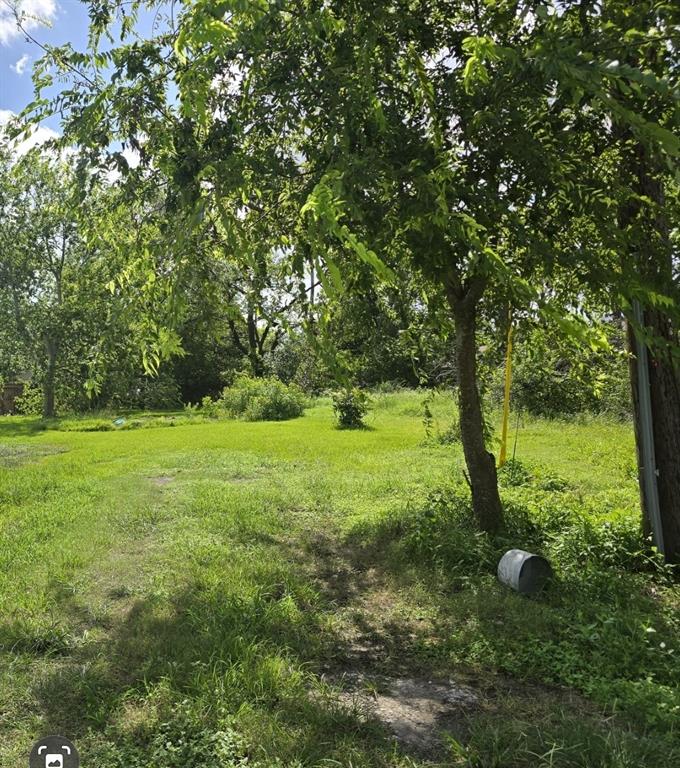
[{"x": 481, "y": 464}]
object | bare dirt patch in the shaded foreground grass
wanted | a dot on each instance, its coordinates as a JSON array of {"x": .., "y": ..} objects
[{"x": 383, "y": 669}]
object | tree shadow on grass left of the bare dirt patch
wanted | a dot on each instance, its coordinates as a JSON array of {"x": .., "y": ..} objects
[{"x": 231, "y": 654}]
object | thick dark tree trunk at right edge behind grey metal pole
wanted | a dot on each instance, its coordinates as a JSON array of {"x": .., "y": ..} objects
[{"x": 654, "y": 262}]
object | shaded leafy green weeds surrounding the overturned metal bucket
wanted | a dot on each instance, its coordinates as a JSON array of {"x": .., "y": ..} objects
[{"x": 569, "y": 635}]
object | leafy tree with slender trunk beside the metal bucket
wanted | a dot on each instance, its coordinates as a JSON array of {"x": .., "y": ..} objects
[{"x": 442, "y": 136}]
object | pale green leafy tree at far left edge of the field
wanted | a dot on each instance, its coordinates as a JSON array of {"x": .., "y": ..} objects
[{"x": 64, "y": 324}]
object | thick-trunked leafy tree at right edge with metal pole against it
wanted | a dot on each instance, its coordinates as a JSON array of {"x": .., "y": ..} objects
[{"x": 631, "y": 92}]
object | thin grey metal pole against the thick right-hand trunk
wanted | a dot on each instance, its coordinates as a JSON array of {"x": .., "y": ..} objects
[{"x": 646, "y": 427}]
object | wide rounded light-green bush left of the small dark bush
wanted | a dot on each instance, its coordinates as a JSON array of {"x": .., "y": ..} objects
[{"x": 262, "y": 399}]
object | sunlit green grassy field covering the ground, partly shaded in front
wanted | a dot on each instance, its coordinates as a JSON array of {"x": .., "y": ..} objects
[{"x": 287, "y": 594}]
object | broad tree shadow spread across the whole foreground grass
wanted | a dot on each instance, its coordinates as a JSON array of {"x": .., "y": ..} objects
[{"x": 257, "y": 653}]
